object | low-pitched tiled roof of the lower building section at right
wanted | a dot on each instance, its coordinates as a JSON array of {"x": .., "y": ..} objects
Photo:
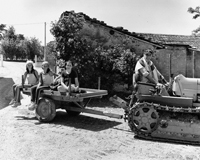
[{"x": 190, "y": 40}]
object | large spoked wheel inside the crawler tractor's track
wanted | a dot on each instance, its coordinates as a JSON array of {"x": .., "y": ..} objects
[{"x": 143, "y": 118}]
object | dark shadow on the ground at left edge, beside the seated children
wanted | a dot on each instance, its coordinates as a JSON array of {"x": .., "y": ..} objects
[{"x": 5, "y": 91}]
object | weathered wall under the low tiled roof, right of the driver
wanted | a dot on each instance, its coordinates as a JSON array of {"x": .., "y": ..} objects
[{"x": 183, "y": 61}]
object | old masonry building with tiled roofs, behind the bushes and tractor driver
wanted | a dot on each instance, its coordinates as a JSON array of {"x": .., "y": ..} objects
[{"x": 175, "y": 54}]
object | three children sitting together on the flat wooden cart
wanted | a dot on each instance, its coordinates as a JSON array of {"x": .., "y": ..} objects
[{"x": 43, "y": 81}]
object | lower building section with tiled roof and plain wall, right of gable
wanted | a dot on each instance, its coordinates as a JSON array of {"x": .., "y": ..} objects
[{"x": 181, "y": 54}]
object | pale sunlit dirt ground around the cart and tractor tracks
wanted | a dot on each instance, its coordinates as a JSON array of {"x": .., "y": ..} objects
[{"x": 86, "y": 137}]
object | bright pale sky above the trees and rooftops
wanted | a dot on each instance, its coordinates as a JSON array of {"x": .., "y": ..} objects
[{"x": 28, "y": 17}]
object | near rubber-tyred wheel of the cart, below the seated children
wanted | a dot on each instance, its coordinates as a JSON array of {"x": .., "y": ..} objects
[{"x": 46, "y": 110}]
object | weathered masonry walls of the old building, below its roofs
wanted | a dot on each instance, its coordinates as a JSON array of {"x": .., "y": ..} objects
[{"x": 174, "y": 59}]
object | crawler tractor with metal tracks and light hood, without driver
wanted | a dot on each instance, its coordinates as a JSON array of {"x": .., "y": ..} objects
[{"x": 170, "y": 118}]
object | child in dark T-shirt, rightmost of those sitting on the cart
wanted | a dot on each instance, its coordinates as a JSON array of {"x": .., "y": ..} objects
[{"x": 69, "y": 76}]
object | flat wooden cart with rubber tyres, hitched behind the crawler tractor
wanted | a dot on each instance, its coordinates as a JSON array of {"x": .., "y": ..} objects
[{"x": 73, "y": 103}]
